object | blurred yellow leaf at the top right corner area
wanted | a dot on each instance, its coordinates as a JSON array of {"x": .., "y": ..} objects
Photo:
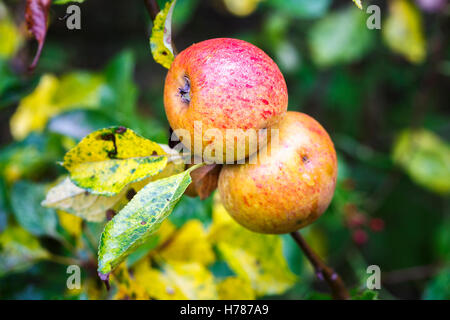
[{"x": 402, "y": 31}]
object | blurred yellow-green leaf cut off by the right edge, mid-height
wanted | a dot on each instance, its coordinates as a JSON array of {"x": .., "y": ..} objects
[{"x": 425, "y": 157}]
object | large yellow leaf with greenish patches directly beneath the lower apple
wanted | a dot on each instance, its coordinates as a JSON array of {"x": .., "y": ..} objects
[{"x": 257, "y": 258}]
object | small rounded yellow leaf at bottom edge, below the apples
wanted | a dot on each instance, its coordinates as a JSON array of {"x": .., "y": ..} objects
[{"x": 234, "y": 288}]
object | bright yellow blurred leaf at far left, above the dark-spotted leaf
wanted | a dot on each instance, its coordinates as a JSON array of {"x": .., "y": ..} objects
[{"x": 35, "y": 109}]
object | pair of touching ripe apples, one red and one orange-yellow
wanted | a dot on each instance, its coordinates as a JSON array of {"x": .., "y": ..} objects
[{"x": 229, "y": 84}]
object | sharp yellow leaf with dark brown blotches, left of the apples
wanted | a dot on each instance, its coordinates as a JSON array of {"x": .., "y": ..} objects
[{"x": 107, "y": 160}]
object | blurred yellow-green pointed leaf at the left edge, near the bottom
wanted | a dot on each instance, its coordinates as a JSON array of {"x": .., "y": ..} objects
[{"x": 19, "y": 250}]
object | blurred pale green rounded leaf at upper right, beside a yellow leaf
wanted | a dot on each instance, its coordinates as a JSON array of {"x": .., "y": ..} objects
[{"x": 340, "y": 37}]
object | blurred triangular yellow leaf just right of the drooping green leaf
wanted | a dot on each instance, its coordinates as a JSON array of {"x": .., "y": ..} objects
[{"x": 189, "y": 245}]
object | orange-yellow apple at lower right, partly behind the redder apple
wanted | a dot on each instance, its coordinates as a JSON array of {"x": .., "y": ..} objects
[{"x": 290, "y": 185}]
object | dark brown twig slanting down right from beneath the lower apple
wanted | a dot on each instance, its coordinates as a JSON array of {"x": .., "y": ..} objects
[{"x": 323, "y": 272}]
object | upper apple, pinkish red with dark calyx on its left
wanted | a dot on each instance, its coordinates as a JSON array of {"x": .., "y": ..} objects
[{"x": 223, "y": 84}]
